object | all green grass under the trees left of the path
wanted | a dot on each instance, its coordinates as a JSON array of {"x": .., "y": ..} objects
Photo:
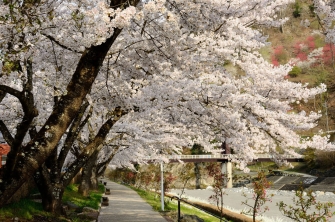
[{"x": 26, "y": 209}]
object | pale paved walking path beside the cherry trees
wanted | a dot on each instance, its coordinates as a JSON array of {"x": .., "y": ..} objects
[{"x": 125, "y": 205}]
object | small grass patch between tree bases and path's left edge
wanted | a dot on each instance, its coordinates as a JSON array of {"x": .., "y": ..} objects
[{"x": 93, "y": 200}]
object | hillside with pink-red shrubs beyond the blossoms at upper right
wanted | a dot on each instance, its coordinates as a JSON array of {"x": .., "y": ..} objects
[{"x": 301, "y": 42}]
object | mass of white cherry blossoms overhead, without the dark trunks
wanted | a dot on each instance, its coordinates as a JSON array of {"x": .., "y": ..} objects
[{"x": 167, "y": 68}]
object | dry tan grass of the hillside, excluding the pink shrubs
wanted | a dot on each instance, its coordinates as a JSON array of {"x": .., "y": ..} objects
[{"x": 294, "y": 33}]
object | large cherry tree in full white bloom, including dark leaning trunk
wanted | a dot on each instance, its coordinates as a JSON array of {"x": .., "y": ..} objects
[{"x": 153, "y": 71}]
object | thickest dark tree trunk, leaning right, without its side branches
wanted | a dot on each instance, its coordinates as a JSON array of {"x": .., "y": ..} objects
[{"x": 40, "y": 147}]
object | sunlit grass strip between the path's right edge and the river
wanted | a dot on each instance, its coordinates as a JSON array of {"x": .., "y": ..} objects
[{"x": 154, "y": 200}]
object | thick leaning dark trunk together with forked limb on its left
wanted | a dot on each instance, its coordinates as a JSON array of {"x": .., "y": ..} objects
[{"x": 25, "y": 159}]
